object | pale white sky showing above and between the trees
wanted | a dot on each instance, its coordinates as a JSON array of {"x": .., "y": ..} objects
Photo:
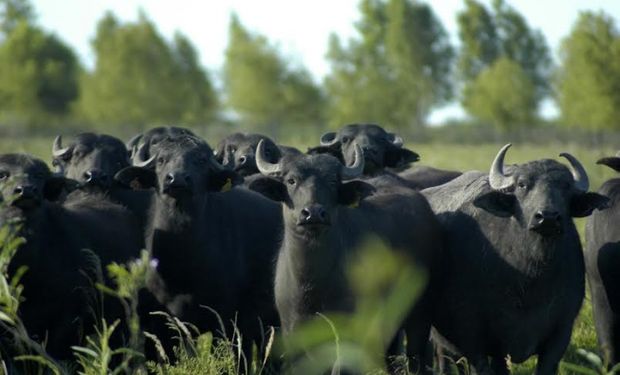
[{"x": 300, "y": 29}]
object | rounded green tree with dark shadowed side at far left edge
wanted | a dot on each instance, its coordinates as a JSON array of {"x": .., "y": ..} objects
[{"x": 38, "y": 79}]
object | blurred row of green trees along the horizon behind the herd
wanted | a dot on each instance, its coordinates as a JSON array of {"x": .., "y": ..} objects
[{"x": 398, "y": 67}]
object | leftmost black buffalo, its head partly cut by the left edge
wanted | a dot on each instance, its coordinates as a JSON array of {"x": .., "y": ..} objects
[{"x": 60, "y": 252}]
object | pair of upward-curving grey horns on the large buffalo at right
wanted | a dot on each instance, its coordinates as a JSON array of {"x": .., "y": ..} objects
[{"x": 499, "y": 181}]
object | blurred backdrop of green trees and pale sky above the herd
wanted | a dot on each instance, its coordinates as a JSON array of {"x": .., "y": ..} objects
[{"x": 466, "y": 71}]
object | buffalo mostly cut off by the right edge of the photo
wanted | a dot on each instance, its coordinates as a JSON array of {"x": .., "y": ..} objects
[{"x": 602, "y": 256}]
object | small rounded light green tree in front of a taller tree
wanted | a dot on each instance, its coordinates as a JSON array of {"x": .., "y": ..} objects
[{"x": 502, "y": 94}]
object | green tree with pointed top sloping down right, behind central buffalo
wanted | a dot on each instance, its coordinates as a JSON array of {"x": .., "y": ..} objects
[{"x": 262, "y": 88}]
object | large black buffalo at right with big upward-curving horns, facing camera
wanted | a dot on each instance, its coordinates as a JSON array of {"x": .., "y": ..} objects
[{"x": 513, "y": 267}]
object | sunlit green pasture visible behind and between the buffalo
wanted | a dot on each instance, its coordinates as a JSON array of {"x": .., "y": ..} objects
[{"x": 453, "y": 156}]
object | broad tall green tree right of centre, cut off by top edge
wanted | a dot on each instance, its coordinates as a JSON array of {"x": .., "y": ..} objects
[{"x": 396, "y": 71}]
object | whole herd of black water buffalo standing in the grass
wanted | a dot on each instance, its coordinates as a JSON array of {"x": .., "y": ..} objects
[{"x": 253, "y": 234}]
